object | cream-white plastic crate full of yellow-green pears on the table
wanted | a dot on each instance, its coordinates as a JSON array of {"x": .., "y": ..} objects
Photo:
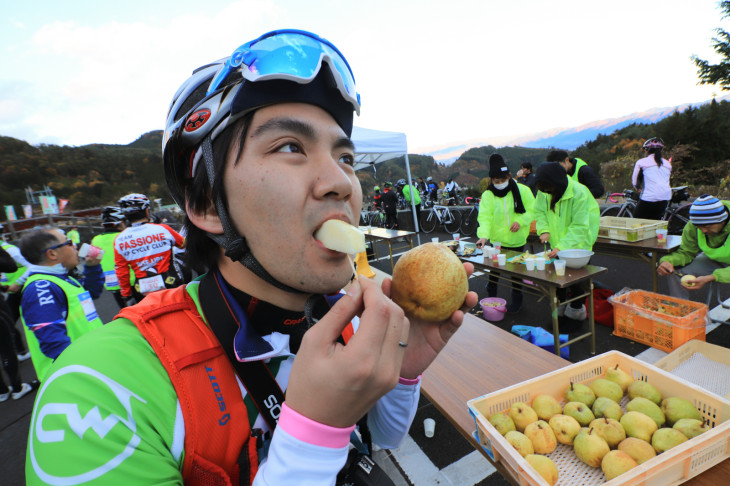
[{"x": 611, "y": 419}]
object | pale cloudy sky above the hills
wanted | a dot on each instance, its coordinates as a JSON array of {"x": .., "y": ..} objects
[{"x": 77, "y": 72}]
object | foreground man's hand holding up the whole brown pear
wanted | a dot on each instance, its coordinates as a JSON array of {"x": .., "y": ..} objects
[{"x": 427, "y": 339}]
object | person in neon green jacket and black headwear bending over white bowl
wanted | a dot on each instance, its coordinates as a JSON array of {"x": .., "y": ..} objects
[{"x": 567, "y": 218}]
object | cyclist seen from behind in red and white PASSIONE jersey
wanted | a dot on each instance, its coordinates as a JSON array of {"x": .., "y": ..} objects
[{"x": 145, "y": 249}]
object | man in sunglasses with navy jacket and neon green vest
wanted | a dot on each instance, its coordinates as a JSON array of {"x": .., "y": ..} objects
[{"x": 55, "y": 308}]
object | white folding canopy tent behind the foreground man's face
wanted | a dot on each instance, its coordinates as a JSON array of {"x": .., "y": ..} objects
[{"x": 376, "y": 146}]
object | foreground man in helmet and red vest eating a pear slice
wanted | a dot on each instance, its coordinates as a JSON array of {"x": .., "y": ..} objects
[{"x": 188, "y": 385}]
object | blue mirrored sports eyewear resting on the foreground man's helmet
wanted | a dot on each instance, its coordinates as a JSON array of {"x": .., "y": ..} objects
[{"x": 293, "y": 55}]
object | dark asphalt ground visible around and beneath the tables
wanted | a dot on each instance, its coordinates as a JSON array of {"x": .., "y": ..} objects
[{"x": 447, "y": 448}]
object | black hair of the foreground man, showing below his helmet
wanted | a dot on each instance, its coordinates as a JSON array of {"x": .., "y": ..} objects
[{"x": 201, "y": 252}]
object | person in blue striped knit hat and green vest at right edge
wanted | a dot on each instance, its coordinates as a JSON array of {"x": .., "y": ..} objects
[{"x": 705, "y": 248}]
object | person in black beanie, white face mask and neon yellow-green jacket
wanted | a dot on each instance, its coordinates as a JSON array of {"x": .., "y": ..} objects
[{"x": 505, "y": 214}]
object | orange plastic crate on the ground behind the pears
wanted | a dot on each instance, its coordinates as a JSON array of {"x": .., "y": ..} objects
[{"x": 660, "y": 321}]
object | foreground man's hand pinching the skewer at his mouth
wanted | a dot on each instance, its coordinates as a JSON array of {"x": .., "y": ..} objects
[{"x": 337, "y": 384}]
